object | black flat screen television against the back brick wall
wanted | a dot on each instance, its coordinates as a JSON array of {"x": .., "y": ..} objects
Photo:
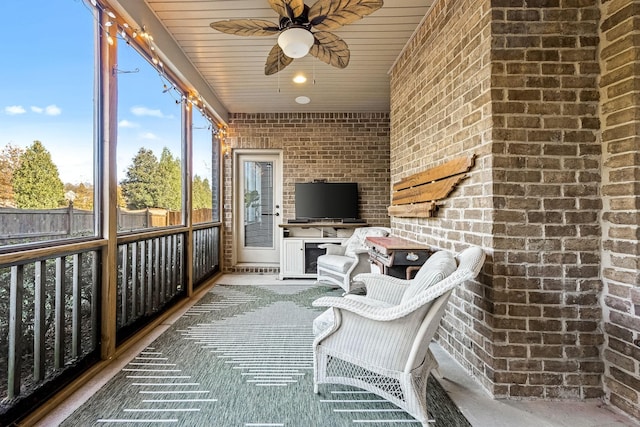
[{"x": 326, "y": 200}]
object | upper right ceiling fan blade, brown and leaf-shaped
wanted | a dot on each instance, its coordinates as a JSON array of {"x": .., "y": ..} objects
[{"x": 332, "y": 14}]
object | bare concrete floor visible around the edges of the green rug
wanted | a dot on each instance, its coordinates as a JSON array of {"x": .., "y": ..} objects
[{"x": 474, "y": 402}]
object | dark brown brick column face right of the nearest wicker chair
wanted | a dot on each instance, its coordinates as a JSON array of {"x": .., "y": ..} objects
[{"x": 547, "y": 170}]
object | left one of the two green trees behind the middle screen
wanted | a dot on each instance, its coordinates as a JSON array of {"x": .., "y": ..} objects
[{"x": 140, "y": 186}]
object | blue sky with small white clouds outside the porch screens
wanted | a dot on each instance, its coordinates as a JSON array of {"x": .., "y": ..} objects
[{"x": 47, "y": 92}]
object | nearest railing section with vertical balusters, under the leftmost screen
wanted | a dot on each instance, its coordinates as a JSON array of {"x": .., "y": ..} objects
[{"x": 49, "y": 307}]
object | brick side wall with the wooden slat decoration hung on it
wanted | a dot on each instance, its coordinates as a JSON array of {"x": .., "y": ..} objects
[{"x": 439, "y": 112}]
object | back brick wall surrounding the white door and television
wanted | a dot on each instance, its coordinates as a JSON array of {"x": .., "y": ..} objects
[{"x": 343, "y": 147}]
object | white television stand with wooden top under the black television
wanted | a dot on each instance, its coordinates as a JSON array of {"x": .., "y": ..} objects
[{"x": 299, "y": 249}]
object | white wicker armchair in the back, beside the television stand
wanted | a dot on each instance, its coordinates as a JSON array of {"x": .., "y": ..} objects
[{"x": 342, "y": 262}]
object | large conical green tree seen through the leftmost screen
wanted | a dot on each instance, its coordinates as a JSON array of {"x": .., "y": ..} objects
[{"x": 36, "y": 181}]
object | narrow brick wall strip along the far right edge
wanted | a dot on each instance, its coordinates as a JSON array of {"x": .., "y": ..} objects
[{"x": 620, "y": 83}]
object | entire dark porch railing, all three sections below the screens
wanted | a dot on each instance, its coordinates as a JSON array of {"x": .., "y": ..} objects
[{"x": 51, "y": 302}]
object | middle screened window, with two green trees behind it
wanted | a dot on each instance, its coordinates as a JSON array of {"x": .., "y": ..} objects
[{"x": 149, "y": 153}]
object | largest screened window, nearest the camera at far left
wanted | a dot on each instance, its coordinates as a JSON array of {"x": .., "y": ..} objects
[{"x": 46, "y": 122}]
